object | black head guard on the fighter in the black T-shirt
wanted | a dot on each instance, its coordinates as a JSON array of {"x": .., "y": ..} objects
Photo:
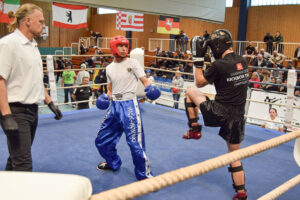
[{"x": 220, "y": 40}]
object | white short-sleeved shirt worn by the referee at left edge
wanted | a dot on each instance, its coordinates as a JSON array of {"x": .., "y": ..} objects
[{"x": 22, "y": 68}]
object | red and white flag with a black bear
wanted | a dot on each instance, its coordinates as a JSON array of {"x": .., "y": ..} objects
[{"x": 69, "y": 16}]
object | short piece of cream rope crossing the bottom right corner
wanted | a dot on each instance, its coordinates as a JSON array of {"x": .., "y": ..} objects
[{"x": 281, "y": 189}]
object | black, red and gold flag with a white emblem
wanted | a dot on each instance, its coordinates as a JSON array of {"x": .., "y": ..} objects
[{"x": 168, "y": 25}]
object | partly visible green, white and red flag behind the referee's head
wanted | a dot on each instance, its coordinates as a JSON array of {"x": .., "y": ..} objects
[{"x": 5, "y": 7}]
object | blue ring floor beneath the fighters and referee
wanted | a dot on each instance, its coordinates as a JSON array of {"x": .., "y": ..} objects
[{"x": 67, "y": 146}]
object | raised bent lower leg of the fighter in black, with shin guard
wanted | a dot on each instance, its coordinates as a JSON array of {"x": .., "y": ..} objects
[{"x": 192, "y": 102}]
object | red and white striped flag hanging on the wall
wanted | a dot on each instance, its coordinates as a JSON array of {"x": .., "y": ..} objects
[{"x": 129, "y": 21}]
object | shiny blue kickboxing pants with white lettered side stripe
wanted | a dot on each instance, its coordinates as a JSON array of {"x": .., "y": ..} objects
[{"x": 124, "y": 116}]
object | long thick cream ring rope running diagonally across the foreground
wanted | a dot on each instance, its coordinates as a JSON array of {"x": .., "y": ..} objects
[{"x": 146, "y": 186}]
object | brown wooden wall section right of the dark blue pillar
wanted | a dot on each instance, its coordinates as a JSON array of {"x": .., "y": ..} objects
[{"x": 262, "y": 19}]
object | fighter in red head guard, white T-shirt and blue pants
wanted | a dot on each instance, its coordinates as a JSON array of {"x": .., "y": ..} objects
[{"x": 123, "y": 114}]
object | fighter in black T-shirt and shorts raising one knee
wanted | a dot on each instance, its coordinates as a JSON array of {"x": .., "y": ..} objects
[{"x": 229, "y": 74}]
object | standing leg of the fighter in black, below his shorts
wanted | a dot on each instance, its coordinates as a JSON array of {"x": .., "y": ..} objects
[{"x": 238, "y": 175}]
